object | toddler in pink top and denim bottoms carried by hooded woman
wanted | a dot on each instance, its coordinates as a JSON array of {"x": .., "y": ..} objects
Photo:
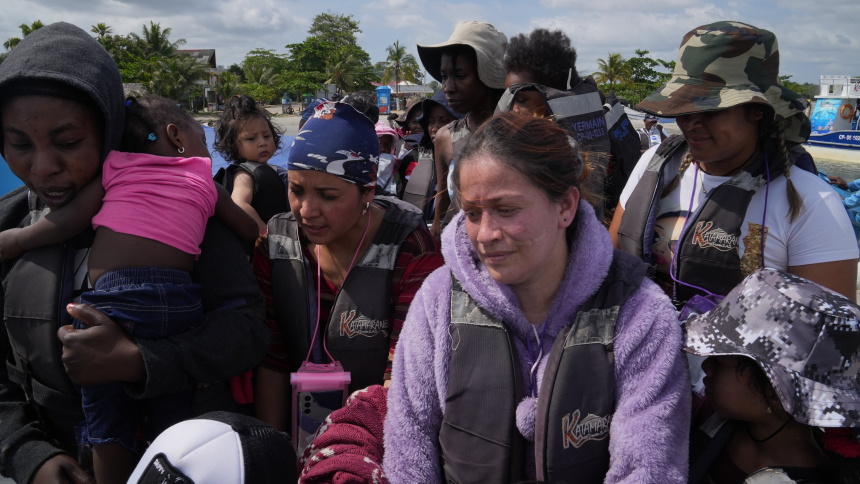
[{"x": 150, "y": 208}]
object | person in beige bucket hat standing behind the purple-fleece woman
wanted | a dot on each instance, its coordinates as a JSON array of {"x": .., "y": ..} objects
[{"x": 470, "y": 66}]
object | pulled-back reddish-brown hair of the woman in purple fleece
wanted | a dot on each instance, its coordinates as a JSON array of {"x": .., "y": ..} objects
[{"x": 535, "y": 147}]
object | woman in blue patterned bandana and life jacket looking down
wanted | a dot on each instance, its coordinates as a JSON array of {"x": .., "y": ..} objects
[{"x": 340, "y": 270}]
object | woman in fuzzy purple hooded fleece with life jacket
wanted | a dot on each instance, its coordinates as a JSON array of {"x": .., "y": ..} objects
[{"x": 530, "y": 255}]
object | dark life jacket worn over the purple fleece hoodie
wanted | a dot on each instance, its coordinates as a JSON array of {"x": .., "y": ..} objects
[{"x": 479, "y": 438}]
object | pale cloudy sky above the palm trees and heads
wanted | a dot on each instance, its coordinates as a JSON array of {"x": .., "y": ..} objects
[{"x": 815, "y": 37}]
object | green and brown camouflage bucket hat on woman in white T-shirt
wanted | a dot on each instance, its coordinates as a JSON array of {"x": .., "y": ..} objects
[{"x": 725, "y": 64}]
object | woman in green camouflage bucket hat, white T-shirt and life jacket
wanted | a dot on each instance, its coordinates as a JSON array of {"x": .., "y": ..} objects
[{"x": 748, "y": 199}]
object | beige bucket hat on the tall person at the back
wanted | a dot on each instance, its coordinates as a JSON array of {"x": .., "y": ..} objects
[{"x": 489, "y": 45}]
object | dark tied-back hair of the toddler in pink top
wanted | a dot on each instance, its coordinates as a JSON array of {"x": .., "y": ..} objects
[{"x": 150, "y": 115}]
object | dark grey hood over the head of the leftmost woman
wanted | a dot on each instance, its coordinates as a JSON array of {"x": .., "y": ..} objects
[{"x": 62, "y": 60}]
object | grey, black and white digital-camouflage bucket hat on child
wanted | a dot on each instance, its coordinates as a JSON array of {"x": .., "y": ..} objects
[{"x": 805, "y": 337}]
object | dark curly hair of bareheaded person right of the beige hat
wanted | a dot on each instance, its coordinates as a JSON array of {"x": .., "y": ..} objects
[{"x": 546, "y": 55}]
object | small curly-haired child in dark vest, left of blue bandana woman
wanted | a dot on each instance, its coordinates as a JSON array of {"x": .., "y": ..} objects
[{"x": 246, "y": 136}]
